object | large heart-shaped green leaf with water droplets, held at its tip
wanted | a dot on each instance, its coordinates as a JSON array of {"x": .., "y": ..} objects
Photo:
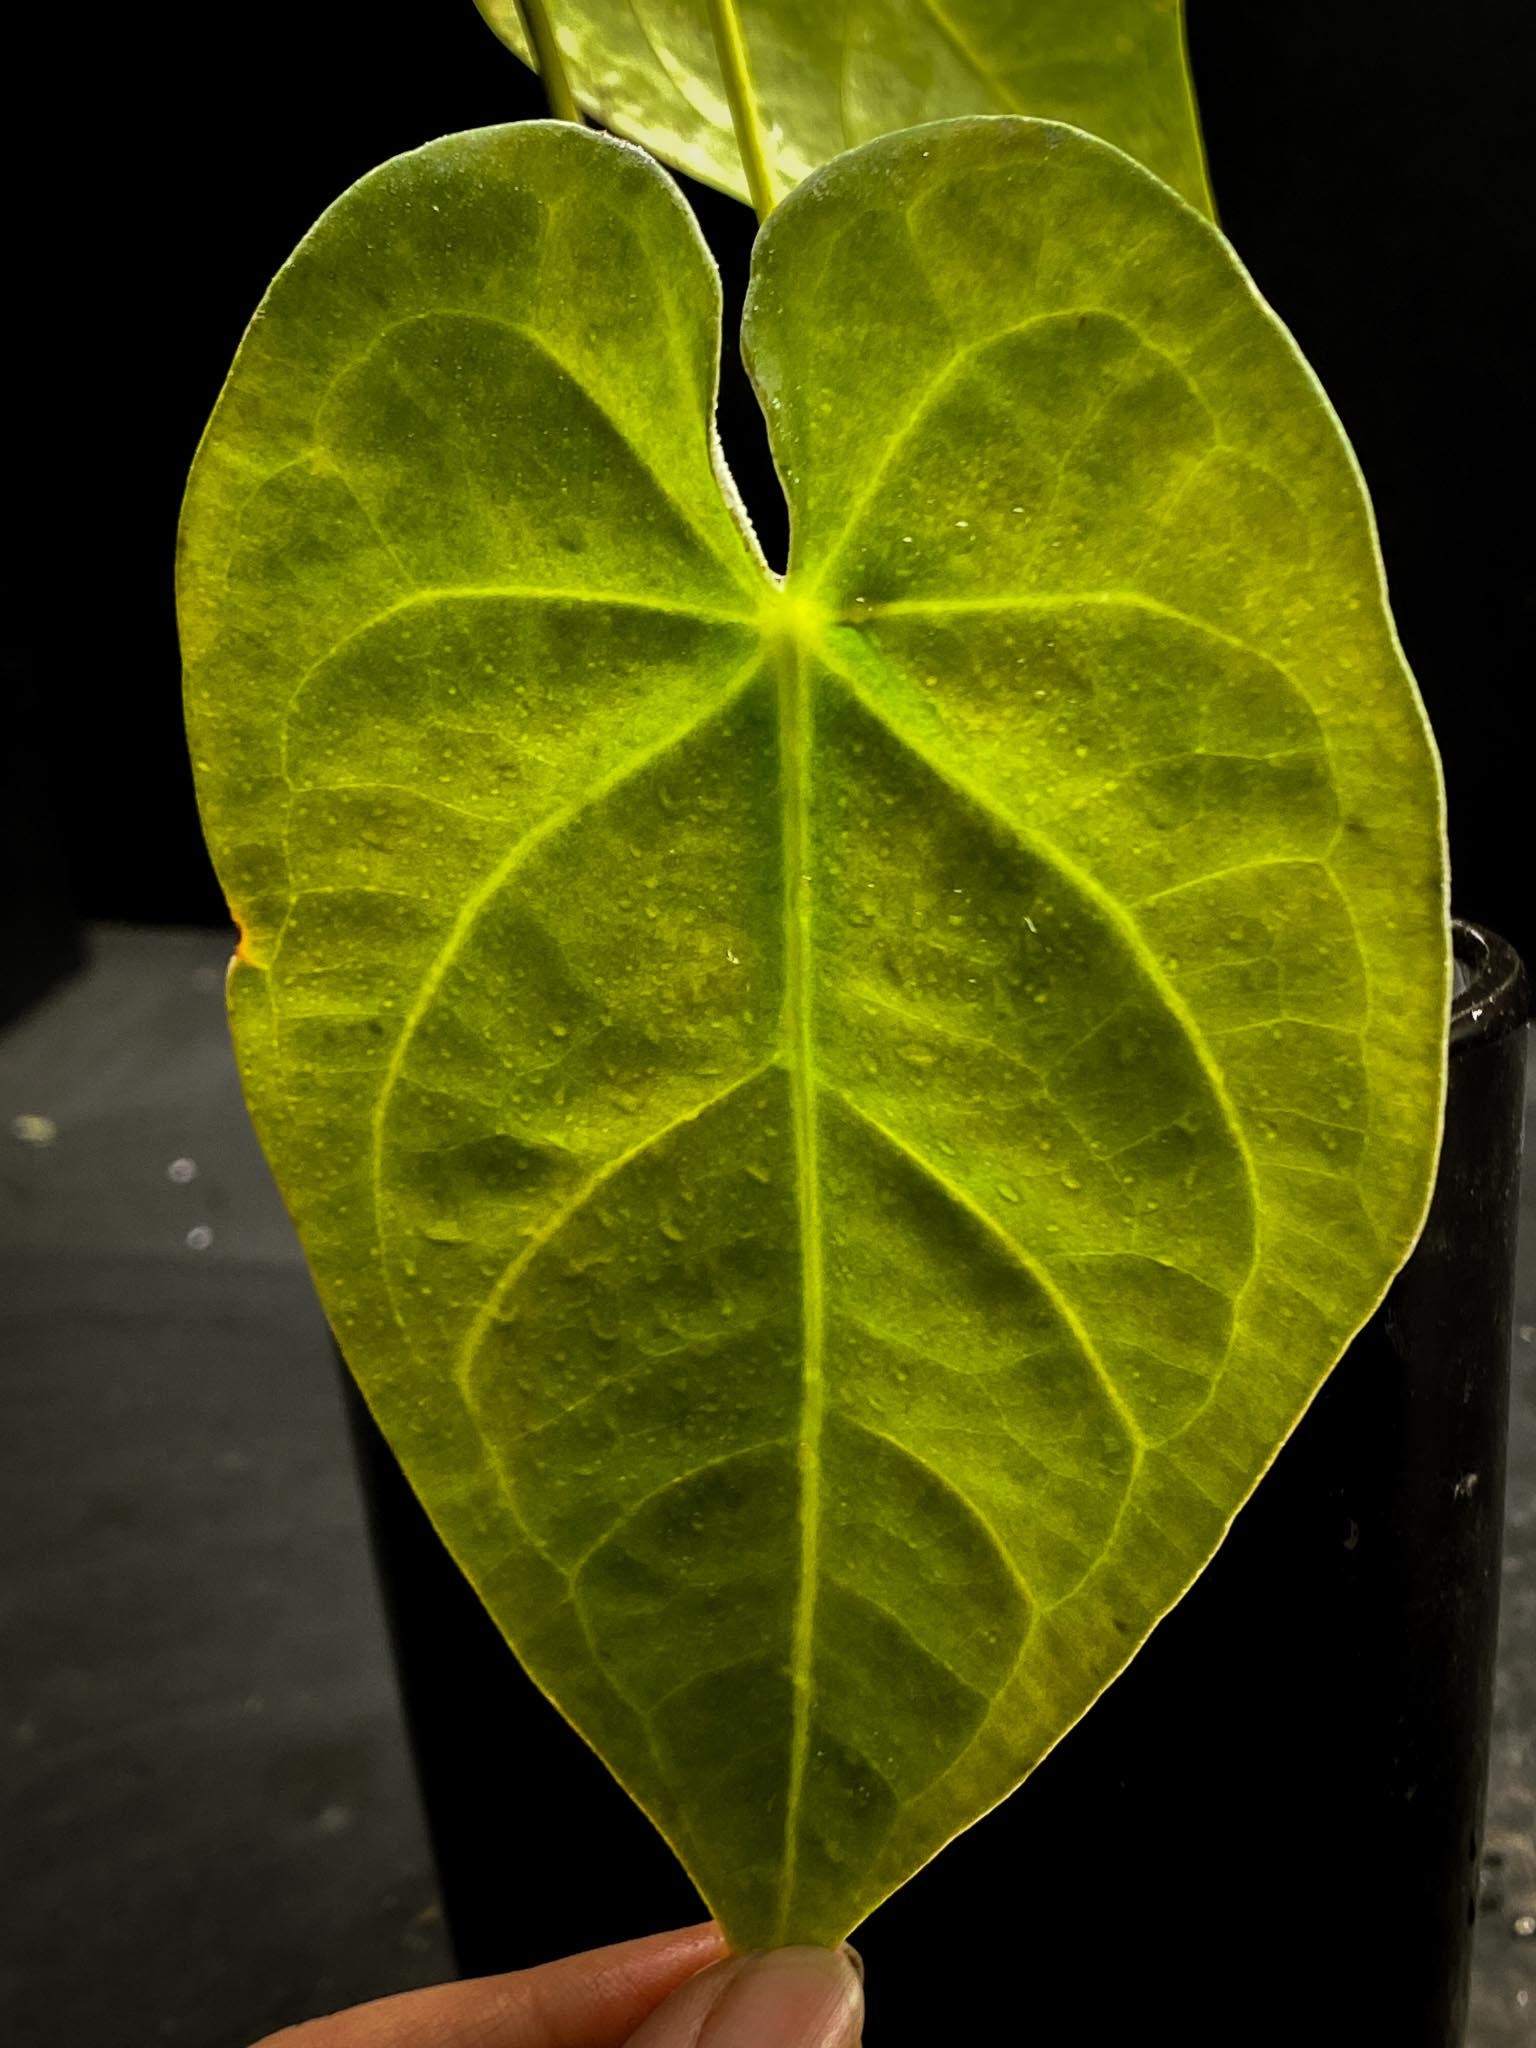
[{"x": 839, "y": 1123}]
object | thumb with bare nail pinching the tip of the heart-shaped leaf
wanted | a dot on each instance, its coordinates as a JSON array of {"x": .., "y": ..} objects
[{"x": 792, "y": 1998}]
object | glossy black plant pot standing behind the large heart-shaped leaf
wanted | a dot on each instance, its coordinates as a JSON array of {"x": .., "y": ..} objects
[{"x": 1267, "y": 1832}]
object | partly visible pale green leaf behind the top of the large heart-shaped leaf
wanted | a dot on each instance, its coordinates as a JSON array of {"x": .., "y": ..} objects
[{"x": 828, "y": 77}]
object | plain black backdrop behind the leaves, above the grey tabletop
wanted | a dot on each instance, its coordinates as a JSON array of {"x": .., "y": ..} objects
[{"x": 1369, "y": 169}]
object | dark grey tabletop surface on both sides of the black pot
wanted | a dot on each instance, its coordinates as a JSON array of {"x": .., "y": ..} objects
[{"x": 208, "y": 1814}]
